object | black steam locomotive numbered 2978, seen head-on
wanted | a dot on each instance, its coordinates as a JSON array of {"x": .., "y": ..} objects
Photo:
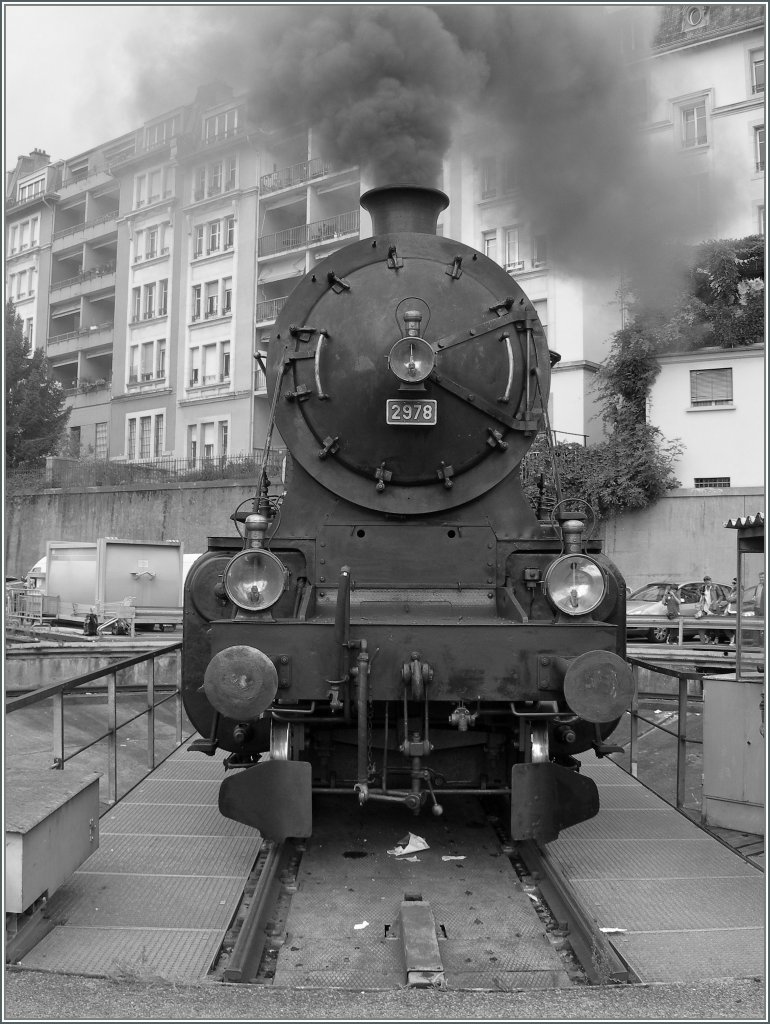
[{"x": 403, "y": 627}]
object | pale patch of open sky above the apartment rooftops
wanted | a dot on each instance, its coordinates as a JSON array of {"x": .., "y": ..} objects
[{"x": 68, "y": 82}]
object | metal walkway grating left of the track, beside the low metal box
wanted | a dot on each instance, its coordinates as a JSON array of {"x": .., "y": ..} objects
[{"x": 158, "y": 897}]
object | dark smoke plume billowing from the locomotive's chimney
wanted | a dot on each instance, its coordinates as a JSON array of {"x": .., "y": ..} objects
[{"x": 388, "y": 88}]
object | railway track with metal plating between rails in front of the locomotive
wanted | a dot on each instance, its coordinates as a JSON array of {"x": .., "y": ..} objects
[{"x": 470, "y": 911}]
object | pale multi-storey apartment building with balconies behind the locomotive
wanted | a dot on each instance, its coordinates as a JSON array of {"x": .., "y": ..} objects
[{"x": 152, "y": 269}]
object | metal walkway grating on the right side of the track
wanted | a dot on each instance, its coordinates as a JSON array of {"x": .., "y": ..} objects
[{"x": 688, "y": 909}]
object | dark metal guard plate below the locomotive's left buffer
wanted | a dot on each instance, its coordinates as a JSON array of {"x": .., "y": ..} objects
[{"x": 275, "y": 797}]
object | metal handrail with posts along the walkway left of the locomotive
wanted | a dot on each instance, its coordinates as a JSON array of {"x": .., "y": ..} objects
[{"x": 155, "y": 699}]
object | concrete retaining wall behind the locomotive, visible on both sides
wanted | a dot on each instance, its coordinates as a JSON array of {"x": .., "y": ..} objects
[{"x": 682, "y": 536}]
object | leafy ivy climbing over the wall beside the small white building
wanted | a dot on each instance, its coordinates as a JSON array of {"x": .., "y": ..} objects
[{"x": 710, "y": 296}]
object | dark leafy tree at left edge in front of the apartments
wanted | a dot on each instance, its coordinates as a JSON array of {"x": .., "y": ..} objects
[{"x": 35, "y": 413}]
